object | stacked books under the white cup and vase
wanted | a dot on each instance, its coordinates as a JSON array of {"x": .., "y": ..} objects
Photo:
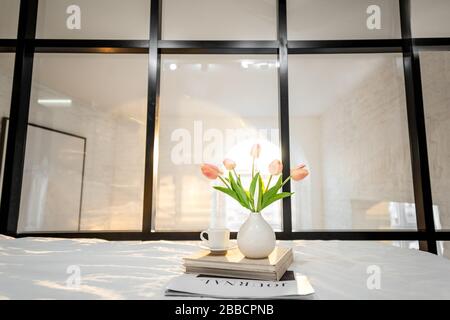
[{"x": 234, "y": 264}]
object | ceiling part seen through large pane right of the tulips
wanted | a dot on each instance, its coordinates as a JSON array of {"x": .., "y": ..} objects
[{"x": 317, "y": 82}]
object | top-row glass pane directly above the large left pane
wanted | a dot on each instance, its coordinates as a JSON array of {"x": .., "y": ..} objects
[{"x": 93, "y": 19}]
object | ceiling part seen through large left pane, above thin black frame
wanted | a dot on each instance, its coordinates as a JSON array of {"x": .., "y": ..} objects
[{"x": 115, "y": 84}]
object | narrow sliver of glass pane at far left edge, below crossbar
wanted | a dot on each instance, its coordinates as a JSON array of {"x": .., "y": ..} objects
[{"x": 6, "y": 80}]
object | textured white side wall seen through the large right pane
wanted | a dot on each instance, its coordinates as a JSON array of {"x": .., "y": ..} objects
[{"x": 366, "y": 155}]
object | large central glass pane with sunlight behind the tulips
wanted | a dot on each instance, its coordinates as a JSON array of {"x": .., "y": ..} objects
[{"x": 212, "y": 107}]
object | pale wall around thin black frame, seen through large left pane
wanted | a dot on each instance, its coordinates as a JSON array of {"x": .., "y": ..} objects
[{"x": 113, "y": 177}]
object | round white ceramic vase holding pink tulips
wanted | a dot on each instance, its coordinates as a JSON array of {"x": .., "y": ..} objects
[{"x": 256, "y": 238}]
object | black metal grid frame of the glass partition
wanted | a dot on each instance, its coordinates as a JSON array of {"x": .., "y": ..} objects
[{"x": 26, "y": 45}]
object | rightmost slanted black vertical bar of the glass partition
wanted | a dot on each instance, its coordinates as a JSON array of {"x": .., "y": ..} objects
[{"x": 417, "y": 132}]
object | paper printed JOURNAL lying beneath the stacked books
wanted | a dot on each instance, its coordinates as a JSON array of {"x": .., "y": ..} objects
[{"x": 292, "y": 285}]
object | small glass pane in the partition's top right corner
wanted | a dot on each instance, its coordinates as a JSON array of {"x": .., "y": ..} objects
[{"x": 430, "y": 18}]
